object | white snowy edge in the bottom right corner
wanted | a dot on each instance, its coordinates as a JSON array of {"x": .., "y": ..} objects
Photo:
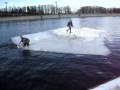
[{"x": 111, "y": 85}]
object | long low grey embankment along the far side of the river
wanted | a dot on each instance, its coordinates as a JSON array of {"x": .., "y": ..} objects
[{"x": 55, "y": 16}]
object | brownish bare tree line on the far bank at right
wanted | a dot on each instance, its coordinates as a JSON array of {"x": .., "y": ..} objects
[{"x": 98, "y": 10}]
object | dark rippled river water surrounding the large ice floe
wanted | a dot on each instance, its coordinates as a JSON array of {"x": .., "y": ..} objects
[{"x": 38, "y": 70}]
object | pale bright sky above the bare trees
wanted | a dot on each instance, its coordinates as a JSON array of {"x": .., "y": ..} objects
[{"x": 74, "y": 4}]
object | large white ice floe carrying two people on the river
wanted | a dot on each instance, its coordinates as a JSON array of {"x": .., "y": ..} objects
[{"x": 80, "y": 41}]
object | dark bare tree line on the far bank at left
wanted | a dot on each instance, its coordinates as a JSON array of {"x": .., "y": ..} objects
[{"x": 34, "y": 10}]
